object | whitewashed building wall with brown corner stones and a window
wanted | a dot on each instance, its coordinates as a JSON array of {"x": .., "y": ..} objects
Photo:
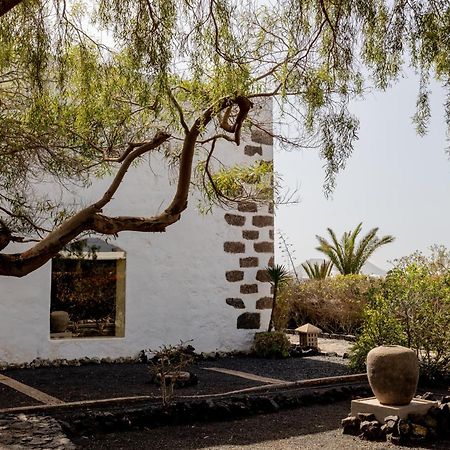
[{"x": 176, "y": 283}]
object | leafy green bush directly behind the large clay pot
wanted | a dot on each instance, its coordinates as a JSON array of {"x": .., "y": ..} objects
[{"x": 411, "y": 308}]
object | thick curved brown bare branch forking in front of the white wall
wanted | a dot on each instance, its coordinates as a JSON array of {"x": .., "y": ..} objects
[{"x": 91, "y": 218}]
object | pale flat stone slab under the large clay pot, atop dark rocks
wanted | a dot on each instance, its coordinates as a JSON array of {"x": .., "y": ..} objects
[{"x": 372, "y": 405}]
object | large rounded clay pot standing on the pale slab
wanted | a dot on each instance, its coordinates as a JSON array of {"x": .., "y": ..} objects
[{"x": 393, "y": 373}]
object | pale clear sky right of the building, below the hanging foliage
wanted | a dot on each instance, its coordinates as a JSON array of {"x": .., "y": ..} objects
[{"x": 395, "y": 180}]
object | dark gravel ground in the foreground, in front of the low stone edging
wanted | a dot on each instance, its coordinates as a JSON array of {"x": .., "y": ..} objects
[{"x": 314, "y": 427}]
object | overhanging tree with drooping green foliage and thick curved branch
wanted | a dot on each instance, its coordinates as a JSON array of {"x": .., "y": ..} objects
[{"x": 177, "y": 76}]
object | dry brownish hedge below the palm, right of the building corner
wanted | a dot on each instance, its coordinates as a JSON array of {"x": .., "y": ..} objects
[{"x": 334, "y": 304}]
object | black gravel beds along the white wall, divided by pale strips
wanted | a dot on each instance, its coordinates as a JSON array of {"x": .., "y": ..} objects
[{"x": 101, "y": 381}]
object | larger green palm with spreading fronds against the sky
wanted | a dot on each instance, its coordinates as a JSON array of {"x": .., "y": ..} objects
[{"x": 346, "y": 255}]
